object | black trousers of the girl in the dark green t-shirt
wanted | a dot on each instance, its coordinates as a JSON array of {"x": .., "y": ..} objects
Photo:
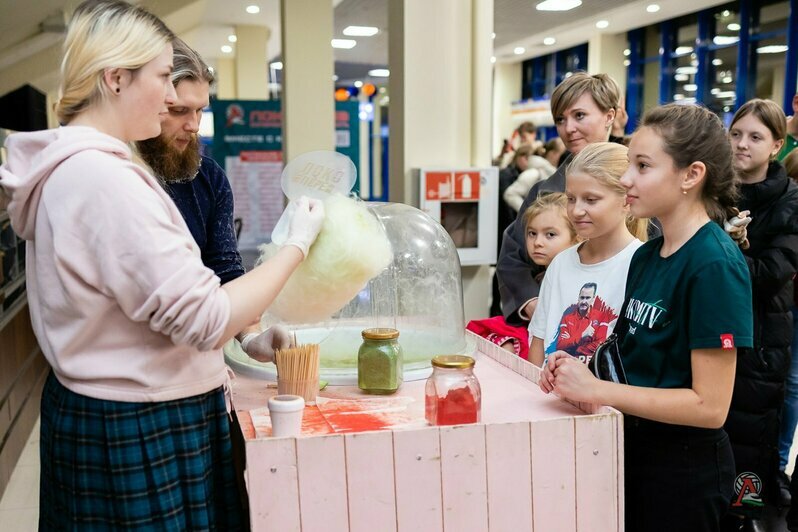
[{"x": 677, "y": 477}]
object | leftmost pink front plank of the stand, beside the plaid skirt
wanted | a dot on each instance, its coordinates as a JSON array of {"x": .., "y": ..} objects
[{"x": 272, "y": 484}]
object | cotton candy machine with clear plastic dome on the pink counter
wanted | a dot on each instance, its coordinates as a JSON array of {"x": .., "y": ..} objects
[{"x": 420, "y": 294}]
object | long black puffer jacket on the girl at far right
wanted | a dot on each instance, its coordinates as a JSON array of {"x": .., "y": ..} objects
[{"x": 753, "y": 422}]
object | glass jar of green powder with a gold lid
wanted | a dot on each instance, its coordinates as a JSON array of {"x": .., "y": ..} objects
[{"x": 379, "y": 361}]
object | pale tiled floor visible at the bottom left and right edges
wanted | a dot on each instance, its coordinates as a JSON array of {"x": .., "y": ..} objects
[{"x": 19, "y": 507}]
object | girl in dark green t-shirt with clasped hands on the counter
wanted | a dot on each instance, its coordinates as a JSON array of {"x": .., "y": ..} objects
[{"x": 688, "y": 309}]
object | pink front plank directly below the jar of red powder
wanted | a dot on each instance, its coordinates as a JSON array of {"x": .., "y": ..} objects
[{"x": 464, "y": 478}]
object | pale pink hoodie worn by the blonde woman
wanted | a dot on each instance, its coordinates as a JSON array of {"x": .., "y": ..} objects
[{"x": 120, "y": 301}]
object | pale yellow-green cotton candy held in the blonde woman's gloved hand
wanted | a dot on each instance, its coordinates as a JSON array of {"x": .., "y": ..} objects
[{"x": 351, "y": 249}]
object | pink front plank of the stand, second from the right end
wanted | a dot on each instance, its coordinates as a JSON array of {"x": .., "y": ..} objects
[{"x": 553, "y": 475}]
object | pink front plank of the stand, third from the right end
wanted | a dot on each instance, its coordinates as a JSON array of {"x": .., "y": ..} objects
[{"x": 509, "y": 467}]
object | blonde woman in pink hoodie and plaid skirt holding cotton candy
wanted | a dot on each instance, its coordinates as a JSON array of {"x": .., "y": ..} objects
[{"x": 135, "y": 432}]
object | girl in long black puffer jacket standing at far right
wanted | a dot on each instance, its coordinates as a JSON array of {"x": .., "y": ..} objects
[{"x": 756, "y": 132}]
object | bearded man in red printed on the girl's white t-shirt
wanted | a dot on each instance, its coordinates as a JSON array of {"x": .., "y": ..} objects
[{"x": 584, "y": 325}]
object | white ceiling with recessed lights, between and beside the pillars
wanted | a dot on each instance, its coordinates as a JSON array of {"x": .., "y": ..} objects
[{"x": 206, "y": 24}]
